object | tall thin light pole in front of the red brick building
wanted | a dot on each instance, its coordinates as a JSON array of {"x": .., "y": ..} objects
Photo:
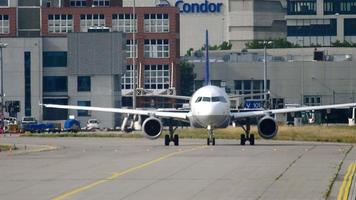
[{"x": 134, "y": 53}]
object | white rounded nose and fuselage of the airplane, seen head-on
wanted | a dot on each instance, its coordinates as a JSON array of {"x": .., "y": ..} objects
[{"x": 210, "y": 106}]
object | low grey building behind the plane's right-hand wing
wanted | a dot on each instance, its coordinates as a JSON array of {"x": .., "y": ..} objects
[{"x": 298, "y": 76}]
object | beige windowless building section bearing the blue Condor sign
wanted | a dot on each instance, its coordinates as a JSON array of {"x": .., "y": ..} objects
[{"x": 235, "y": 21}]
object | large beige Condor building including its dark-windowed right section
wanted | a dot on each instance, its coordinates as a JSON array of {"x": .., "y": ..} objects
[{"x": 303, "y": 22}]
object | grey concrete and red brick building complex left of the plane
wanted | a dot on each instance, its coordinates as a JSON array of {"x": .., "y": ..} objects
[{"x": 81, "y": 52}]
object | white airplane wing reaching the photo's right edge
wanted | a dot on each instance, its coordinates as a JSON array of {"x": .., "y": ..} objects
[{"x": 289, "y": 110}]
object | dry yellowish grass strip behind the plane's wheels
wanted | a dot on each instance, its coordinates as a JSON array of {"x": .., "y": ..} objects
[{"x": 319, "y": 133}]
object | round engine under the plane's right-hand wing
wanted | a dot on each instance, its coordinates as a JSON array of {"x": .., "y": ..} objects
[{"x": 267, "y": 127}]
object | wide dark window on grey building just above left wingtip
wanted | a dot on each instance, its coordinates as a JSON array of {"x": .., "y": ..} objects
[{"x": 55, "y": 84}]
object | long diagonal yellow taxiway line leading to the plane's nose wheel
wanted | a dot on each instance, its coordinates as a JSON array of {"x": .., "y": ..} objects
[{"x": 116, "y": 175}]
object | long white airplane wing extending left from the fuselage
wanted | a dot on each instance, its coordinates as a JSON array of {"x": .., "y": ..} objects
[{"x": 156, "y": 113}]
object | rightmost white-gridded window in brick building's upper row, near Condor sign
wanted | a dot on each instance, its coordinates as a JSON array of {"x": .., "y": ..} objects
[{"x": 156, "y": 23}]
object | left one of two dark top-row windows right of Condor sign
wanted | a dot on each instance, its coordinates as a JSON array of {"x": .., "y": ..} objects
[{"x": 301, "y": 7}]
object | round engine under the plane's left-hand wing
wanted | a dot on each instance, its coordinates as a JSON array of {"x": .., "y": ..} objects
[{"x": 152, "y": 128}]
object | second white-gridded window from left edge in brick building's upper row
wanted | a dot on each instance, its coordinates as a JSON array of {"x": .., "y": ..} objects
[{"x": 60, "y": 23}]
